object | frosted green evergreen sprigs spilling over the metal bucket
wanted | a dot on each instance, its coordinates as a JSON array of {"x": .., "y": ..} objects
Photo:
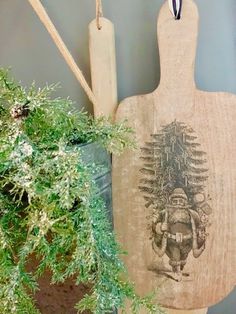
[{"x": 49, "y": 205}]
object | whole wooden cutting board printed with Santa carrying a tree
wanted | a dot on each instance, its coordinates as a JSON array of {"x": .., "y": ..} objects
[{"x": 174, "y": 197}]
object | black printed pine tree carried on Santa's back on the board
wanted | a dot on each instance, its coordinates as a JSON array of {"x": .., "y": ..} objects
[{"x": 173, "y": 159}]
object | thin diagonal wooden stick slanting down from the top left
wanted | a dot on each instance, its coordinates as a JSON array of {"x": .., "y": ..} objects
[{"x": 43, "y": 16}]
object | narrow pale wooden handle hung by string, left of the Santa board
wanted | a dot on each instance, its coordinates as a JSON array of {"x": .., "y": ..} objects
[{"x": 103, "y": 66}]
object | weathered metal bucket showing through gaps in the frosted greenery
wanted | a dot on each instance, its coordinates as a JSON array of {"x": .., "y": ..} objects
[{"x": 61, "y": 298}]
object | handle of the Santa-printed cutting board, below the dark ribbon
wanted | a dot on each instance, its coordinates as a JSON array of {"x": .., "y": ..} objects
[{"x": 177, "y": 40}]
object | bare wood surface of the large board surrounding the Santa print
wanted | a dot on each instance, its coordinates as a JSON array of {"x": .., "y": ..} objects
[{"x": 212, "y": 116}]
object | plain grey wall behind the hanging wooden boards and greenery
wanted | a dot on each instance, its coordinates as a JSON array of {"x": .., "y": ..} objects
[{"x": 28, "y": 49}]
